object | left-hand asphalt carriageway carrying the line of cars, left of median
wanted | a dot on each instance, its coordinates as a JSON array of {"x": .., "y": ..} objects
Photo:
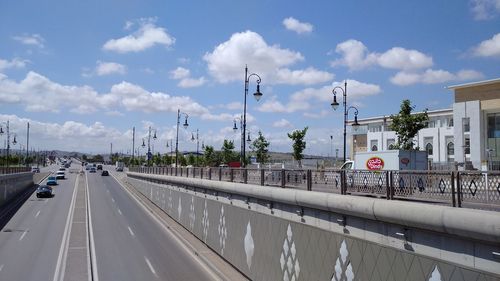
[{"x": 30, "y": 242}]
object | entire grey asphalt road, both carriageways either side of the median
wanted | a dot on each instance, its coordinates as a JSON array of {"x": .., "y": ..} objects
[{"x": 129, "y": 242}]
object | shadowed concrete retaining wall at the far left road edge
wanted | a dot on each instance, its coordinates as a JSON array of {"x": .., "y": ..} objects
[{"x": 13, "y": 184}]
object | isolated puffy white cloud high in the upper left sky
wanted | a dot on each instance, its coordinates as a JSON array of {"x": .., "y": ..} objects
[{"x": 147, "y": 36}]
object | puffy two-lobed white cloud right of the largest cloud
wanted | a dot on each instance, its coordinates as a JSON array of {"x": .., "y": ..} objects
[{"x": 355, "y": 56}]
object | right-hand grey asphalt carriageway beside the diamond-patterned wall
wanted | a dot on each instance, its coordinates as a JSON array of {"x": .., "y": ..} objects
[{"x": 130, "y": 245}]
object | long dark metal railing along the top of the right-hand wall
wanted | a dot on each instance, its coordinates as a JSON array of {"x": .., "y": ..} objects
[{"x": 455, "y": 188}]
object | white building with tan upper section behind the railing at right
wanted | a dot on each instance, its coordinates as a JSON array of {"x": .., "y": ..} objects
[{"x": 469, "y": 133}]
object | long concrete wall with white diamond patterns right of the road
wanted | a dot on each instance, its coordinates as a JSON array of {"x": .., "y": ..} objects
[{"x": 279, "y": 234}]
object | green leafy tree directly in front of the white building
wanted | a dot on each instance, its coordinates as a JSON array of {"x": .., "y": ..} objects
[{"x": 407, "y": 125}]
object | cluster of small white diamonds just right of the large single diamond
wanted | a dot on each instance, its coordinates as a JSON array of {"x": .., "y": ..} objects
[{"x": 289, "y": 261}]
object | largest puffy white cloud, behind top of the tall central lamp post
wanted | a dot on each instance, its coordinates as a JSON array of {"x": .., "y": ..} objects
[{"x": 227, "y": 61}]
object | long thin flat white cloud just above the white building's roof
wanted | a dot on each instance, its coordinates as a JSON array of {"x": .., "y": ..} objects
[{"x": 431, "y": 76}]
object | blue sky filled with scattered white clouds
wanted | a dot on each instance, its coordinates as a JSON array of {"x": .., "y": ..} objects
[{"x": 84, "y": 73}]
